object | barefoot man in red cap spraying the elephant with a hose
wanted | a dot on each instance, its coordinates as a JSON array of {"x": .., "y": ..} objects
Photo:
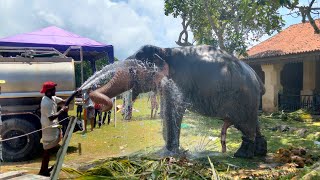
[{"x": 51, "y": 135}]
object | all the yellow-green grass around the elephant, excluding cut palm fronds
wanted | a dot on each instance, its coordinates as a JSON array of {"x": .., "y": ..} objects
[{"x": 143, "y": 136}]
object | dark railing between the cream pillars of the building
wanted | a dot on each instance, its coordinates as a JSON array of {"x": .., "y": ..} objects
[{"x": 294, "y": 102}]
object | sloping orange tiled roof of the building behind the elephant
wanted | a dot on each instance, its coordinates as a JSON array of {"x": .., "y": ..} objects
[{"x": 297, "y": 38}]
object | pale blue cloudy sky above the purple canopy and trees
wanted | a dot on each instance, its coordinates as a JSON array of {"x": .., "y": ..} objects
[{"x": 126, "y": 24}]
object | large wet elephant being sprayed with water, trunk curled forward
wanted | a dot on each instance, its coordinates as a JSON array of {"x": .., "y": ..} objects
[{"x": 202, "y": 79}]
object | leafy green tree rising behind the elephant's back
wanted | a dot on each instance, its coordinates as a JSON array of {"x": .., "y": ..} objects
[{"x": 228, "y": 24}]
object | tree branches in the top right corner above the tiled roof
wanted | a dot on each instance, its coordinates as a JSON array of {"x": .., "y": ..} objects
[{"x": 303, "y": 11}]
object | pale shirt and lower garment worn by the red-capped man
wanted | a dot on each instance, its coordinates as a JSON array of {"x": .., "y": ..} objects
[{"x": 48, "y": 108}]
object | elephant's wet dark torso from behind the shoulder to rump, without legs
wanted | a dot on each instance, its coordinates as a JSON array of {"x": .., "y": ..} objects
[{"x": 212, "y": 79}]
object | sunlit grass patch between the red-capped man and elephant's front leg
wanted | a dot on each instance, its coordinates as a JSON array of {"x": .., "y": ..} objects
[{"x": 122, "y": 138}]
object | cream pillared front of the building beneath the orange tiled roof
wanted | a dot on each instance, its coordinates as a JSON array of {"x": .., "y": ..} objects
[{"x": 297, "y": 74}]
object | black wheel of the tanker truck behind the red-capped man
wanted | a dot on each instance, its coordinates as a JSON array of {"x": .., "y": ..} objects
[{"x": 22, "y": 148}]
